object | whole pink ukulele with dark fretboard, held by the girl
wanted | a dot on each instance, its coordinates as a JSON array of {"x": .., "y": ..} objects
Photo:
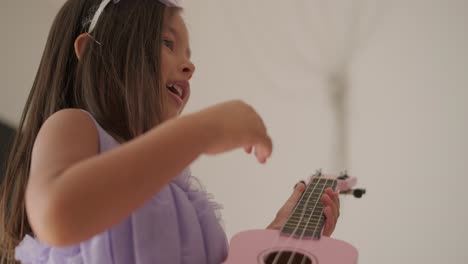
[{"x": 299, "y": 241}]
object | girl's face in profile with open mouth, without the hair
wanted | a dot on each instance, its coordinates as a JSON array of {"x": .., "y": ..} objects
[{"x": 176, "y": 67}]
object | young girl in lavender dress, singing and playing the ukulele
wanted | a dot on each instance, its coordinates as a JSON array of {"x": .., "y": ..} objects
[{"x": 98, "y": 172}]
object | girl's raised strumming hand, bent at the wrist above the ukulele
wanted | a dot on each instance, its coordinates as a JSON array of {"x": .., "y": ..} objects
[{"x": 236, "y": 124}]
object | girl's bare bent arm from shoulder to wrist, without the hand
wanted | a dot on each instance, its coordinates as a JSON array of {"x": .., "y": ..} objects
[{"x": 74, "y": 193}]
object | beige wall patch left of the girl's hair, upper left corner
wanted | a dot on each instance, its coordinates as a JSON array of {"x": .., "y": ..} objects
[{"x": 25, "y": 25}]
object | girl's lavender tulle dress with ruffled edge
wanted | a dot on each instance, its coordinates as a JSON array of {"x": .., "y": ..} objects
[{"x": 177, "y": 225}]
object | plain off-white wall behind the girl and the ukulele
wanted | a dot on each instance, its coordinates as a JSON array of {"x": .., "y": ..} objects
[{"x": 406, "y": 112}]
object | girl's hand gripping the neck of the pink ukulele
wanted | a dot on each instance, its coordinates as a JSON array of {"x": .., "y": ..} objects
[{"x": 331, "y": 202}]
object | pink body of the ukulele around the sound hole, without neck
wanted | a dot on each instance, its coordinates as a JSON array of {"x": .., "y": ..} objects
[{"x": 259, "y": 247}]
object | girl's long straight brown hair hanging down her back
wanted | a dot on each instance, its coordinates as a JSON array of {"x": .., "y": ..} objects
[{"x": 117, "y": 80}]
